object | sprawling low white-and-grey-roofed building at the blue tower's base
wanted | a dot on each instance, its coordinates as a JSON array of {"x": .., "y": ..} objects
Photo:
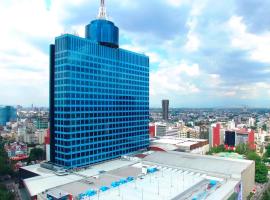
[{"x": 155, "y": 176}]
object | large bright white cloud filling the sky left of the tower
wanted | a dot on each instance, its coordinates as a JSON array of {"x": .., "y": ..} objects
[{"x": 24, "y": 67}]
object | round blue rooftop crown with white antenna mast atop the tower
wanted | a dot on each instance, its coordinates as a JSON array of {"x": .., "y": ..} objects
[{"x": 101, "y": 30}]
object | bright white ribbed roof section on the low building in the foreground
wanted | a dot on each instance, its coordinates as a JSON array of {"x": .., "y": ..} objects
[{"x": 166, "y": 183}]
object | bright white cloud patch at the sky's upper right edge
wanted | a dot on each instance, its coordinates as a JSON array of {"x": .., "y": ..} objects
[{"x": 258, "y": 45}]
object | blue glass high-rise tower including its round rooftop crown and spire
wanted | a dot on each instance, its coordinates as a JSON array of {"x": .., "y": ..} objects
[{"x": 99, "y": 96}]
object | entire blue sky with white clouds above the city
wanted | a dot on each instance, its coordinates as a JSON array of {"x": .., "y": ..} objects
[{"x": 204, "y": 53}]
